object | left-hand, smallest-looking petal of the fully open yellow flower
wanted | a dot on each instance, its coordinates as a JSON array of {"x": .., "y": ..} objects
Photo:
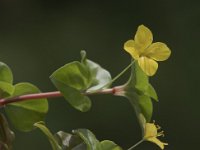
[{"x": 131, "y": 48}]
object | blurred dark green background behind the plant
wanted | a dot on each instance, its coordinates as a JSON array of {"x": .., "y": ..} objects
[{"x": 38, "y": 36}]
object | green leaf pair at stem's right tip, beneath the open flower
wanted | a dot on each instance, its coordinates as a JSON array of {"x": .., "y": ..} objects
[{"x": 139, "y": 92}]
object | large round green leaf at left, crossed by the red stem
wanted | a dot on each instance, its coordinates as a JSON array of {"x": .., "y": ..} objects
[{"x": 24, "y": 114}]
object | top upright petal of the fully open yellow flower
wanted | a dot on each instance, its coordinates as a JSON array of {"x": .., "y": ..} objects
[{"x": 143, "y": 37}]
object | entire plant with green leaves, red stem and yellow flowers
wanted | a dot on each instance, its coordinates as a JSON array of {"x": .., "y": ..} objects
[{"x": 26, "y": 107}]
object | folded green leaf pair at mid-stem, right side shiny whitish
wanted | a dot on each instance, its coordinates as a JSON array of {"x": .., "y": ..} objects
[{"x": 76, "y": 78}]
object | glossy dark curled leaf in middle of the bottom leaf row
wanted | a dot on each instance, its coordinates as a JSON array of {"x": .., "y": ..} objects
[{"x": 89, "y": 138}]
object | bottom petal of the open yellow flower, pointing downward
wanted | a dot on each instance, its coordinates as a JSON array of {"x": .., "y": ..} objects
[{"x": 149, "y": 66}]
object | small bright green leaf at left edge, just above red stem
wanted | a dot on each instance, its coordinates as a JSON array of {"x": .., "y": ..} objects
[{"x": 6, "y": 89}]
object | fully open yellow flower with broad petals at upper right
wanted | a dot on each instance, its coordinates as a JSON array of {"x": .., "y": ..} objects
[{"x": 145, "y": 52}]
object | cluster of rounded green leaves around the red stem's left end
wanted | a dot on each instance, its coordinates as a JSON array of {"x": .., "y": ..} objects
[{"x": 21, "y": 114}]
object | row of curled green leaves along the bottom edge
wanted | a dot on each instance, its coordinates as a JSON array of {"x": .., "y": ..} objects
[{"x": 81, "y": 139}]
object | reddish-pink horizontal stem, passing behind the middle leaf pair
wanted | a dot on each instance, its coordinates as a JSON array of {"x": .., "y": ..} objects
[{"x": 53, "y": 94}]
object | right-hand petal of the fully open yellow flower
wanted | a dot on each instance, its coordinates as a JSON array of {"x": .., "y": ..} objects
[{"x": 158, "y": 51}]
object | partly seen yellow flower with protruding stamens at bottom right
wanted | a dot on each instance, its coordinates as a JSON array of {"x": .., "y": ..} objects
[{"x": 151, "y": 133}]
